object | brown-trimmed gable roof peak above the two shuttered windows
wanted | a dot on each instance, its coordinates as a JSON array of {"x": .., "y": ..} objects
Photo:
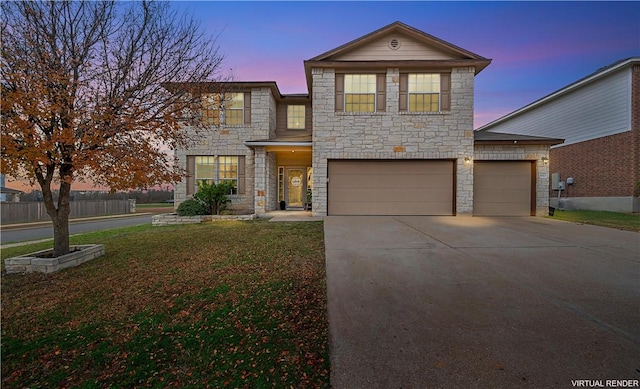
[{"x": 453, "y": 56}]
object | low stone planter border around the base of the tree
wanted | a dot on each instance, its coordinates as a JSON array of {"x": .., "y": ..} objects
[{"x": 35, "y": 262}]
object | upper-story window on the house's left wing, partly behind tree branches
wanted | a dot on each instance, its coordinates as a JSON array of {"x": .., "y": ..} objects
[{"x": 233, "y": 109}]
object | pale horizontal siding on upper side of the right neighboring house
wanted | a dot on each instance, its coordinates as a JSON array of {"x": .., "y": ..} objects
[{"x": 598, "y": 109}]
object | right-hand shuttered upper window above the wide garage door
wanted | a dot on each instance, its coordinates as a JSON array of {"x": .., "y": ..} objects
[{"x": 425, "y": 92}]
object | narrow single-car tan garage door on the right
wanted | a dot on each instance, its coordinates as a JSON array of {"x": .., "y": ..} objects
[{"x": 502, "y": 188}]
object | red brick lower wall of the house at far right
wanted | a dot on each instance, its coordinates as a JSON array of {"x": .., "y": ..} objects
[{"x": 603, "y": 167}]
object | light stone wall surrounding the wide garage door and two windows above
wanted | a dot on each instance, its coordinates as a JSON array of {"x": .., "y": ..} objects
[{"x": 393, "y": 134}]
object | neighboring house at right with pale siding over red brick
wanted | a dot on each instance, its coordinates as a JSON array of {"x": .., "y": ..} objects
[{"x": 599, "y": 118}]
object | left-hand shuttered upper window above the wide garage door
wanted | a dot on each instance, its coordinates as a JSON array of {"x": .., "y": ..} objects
[{"x": 360, "y": 92}]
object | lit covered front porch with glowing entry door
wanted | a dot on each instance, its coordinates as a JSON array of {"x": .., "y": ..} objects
[{"x": 283, "y": 174}]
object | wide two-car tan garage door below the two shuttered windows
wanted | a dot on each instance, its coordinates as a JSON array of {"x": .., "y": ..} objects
[{"x": 397, "y": 187}]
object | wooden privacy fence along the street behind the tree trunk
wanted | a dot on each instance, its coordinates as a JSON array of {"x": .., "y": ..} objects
[{"x": 35, "y": 211}]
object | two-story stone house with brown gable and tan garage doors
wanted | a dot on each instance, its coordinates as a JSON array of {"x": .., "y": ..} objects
[{"x": 386, "y": 129}]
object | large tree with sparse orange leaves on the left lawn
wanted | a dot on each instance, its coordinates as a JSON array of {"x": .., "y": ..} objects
[{"x": 83, "y": 96}]
